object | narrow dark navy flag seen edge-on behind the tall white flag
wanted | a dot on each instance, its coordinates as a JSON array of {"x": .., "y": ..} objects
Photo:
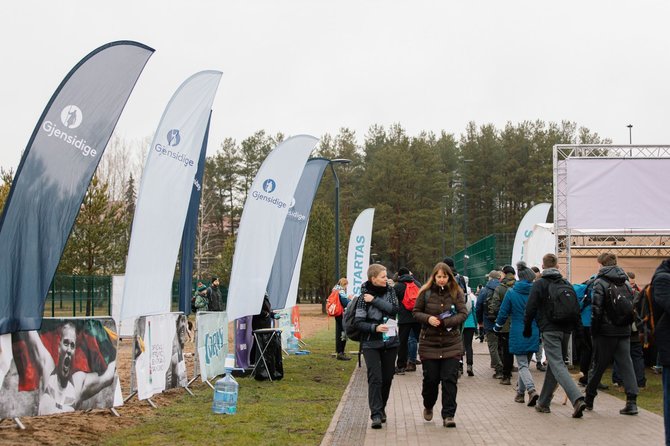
[{"x": 189, "y": 234}]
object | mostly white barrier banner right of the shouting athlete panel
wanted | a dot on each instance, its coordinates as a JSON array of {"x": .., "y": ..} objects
[{"x": 159, "y": 353}]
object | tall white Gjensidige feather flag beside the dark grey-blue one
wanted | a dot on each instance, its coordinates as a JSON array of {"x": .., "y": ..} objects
[{"x": 164, "y": 195}]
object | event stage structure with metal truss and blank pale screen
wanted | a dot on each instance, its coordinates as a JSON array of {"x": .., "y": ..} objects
[{"x": 611, "y": 198}]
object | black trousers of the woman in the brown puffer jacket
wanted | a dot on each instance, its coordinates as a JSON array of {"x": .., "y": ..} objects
[{"x": 436, "y": 372}]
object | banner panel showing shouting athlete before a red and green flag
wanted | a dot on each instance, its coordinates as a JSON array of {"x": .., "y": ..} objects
[{"x": 69, "y": 365}]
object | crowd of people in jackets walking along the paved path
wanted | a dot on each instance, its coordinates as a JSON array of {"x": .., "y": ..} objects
[{"x": 524, "y": 314}]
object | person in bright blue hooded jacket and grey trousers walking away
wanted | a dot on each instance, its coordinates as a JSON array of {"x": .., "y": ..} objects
[{"x": 523, "y": 348}]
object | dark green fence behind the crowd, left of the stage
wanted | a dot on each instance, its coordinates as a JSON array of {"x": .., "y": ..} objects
[{"x": 493, "y": 251}]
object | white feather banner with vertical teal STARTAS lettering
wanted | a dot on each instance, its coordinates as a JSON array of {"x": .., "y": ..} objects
[{"x": 358, "y": 256}]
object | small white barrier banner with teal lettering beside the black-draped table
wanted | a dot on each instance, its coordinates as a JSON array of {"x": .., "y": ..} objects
[{"x": 212, "y": 342}]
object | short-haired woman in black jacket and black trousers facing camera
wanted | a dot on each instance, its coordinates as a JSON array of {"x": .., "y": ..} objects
[{"x": 379, "y": 340}]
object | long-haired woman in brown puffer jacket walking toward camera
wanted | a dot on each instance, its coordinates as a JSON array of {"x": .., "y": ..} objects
[{"x": 441, "y": 310}]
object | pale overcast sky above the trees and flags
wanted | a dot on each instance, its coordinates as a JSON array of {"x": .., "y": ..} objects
[{"x": 314, "y": 66}]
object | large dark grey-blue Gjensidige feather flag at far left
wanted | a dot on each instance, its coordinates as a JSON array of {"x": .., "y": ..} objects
[{"x": 55, "y": 171}]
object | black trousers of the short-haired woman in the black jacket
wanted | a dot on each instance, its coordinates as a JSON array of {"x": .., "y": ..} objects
[{"x": 380, "y": 363}]
